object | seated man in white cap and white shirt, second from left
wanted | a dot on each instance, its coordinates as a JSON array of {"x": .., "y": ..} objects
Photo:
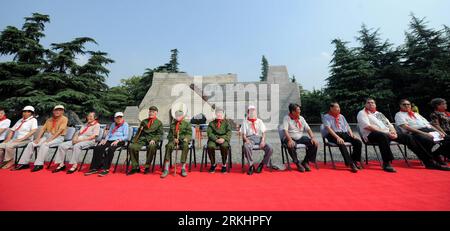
[{"x": 20, "y": 134}]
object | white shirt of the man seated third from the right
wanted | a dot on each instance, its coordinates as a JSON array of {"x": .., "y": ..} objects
[{"x": 371, "y": 119}]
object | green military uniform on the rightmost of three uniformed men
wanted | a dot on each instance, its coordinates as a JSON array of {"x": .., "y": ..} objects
[{"x": 214, "y": 132}]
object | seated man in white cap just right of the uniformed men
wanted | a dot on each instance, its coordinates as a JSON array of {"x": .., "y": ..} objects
[{"x": 254, "y": 133}]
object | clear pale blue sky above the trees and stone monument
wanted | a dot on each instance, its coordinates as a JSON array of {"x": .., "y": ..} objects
[{"x": 226, "y": 36}]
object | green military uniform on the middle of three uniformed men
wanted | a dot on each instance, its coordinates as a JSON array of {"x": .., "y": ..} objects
[{"x": 185, "y": 136}]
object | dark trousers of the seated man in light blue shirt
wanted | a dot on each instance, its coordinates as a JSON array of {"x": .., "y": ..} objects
[{"x": 103, "y": 155}]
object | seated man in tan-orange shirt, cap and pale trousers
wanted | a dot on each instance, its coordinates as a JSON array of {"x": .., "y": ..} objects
[{"x": 52, "y": 133}]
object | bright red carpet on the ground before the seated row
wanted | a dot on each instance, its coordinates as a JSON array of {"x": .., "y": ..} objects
[{"x": 324, "y": 189}]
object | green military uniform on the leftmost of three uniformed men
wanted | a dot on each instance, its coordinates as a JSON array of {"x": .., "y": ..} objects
[{"x": 154, "y": 132}]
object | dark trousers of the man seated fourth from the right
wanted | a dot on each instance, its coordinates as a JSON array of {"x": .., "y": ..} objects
[{"x": 356, "y": 143}]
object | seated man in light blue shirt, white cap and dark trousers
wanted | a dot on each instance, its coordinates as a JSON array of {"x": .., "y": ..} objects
[{"x": 104, "y": 151}]
